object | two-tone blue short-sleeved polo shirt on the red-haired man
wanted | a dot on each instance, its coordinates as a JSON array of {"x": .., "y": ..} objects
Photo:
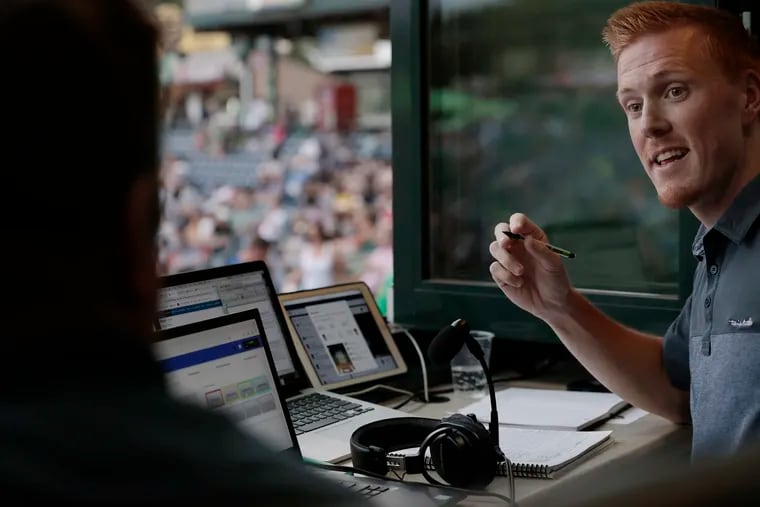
[{"x": 713, "y": 348}]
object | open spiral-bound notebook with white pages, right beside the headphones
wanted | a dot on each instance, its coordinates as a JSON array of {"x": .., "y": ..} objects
[{"x": 541, "y": 453}]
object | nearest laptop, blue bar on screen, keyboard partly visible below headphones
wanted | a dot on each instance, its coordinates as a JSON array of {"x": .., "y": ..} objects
[{"x": 225, "y": 364}]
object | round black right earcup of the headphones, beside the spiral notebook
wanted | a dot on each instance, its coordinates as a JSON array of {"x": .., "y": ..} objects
[{"x": 464, "y": 455}]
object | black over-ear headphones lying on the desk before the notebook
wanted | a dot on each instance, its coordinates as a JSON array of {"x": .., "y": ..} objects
[{"x": 461, "y": 450}]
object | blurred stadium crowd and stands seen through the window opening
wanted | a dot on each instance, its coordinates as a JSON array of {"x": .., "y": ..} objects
[{"x": 277, "y": 141}]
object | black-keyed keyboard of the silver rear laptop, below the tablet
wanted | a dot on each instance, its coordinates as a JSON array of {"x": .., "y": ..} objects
[{"x": 316, "y": 410}]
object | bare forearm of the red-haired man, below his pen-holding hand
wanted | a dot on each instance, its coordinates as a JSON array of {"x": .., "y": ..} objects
[{"x": 626, "y": 361}]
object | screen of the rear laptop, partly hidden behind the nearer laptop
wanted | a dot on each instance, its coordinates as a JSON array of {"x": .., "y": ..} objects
[{"x": 198, "y": 295}]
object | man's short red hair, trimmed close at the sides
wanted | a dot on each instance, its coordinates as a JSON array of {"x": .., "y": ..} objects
[{"x": 726, "y": 40}]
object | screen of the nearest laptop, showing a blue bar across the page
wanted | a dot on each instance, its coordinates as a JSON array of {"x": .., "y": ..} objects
[{"x": 223, "y": 364}]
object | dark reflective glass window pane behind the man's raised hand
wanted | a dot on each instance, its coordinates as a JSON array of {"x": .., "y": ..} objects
[{"x": 523, "y": 117}]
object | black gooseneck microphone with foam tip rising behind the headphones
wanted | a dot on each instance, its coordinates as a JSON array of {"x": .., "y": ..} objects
[{"x": 447, "y": 343}]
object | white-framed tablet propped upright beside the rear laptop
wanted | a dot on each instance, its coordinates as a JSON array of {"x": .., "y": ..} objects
[{"x": 342, "y": 334}]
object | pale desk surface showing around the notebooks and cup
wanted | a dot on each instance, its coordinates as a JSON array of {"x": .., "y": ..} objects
[{"x": 635, "y": 449}]
